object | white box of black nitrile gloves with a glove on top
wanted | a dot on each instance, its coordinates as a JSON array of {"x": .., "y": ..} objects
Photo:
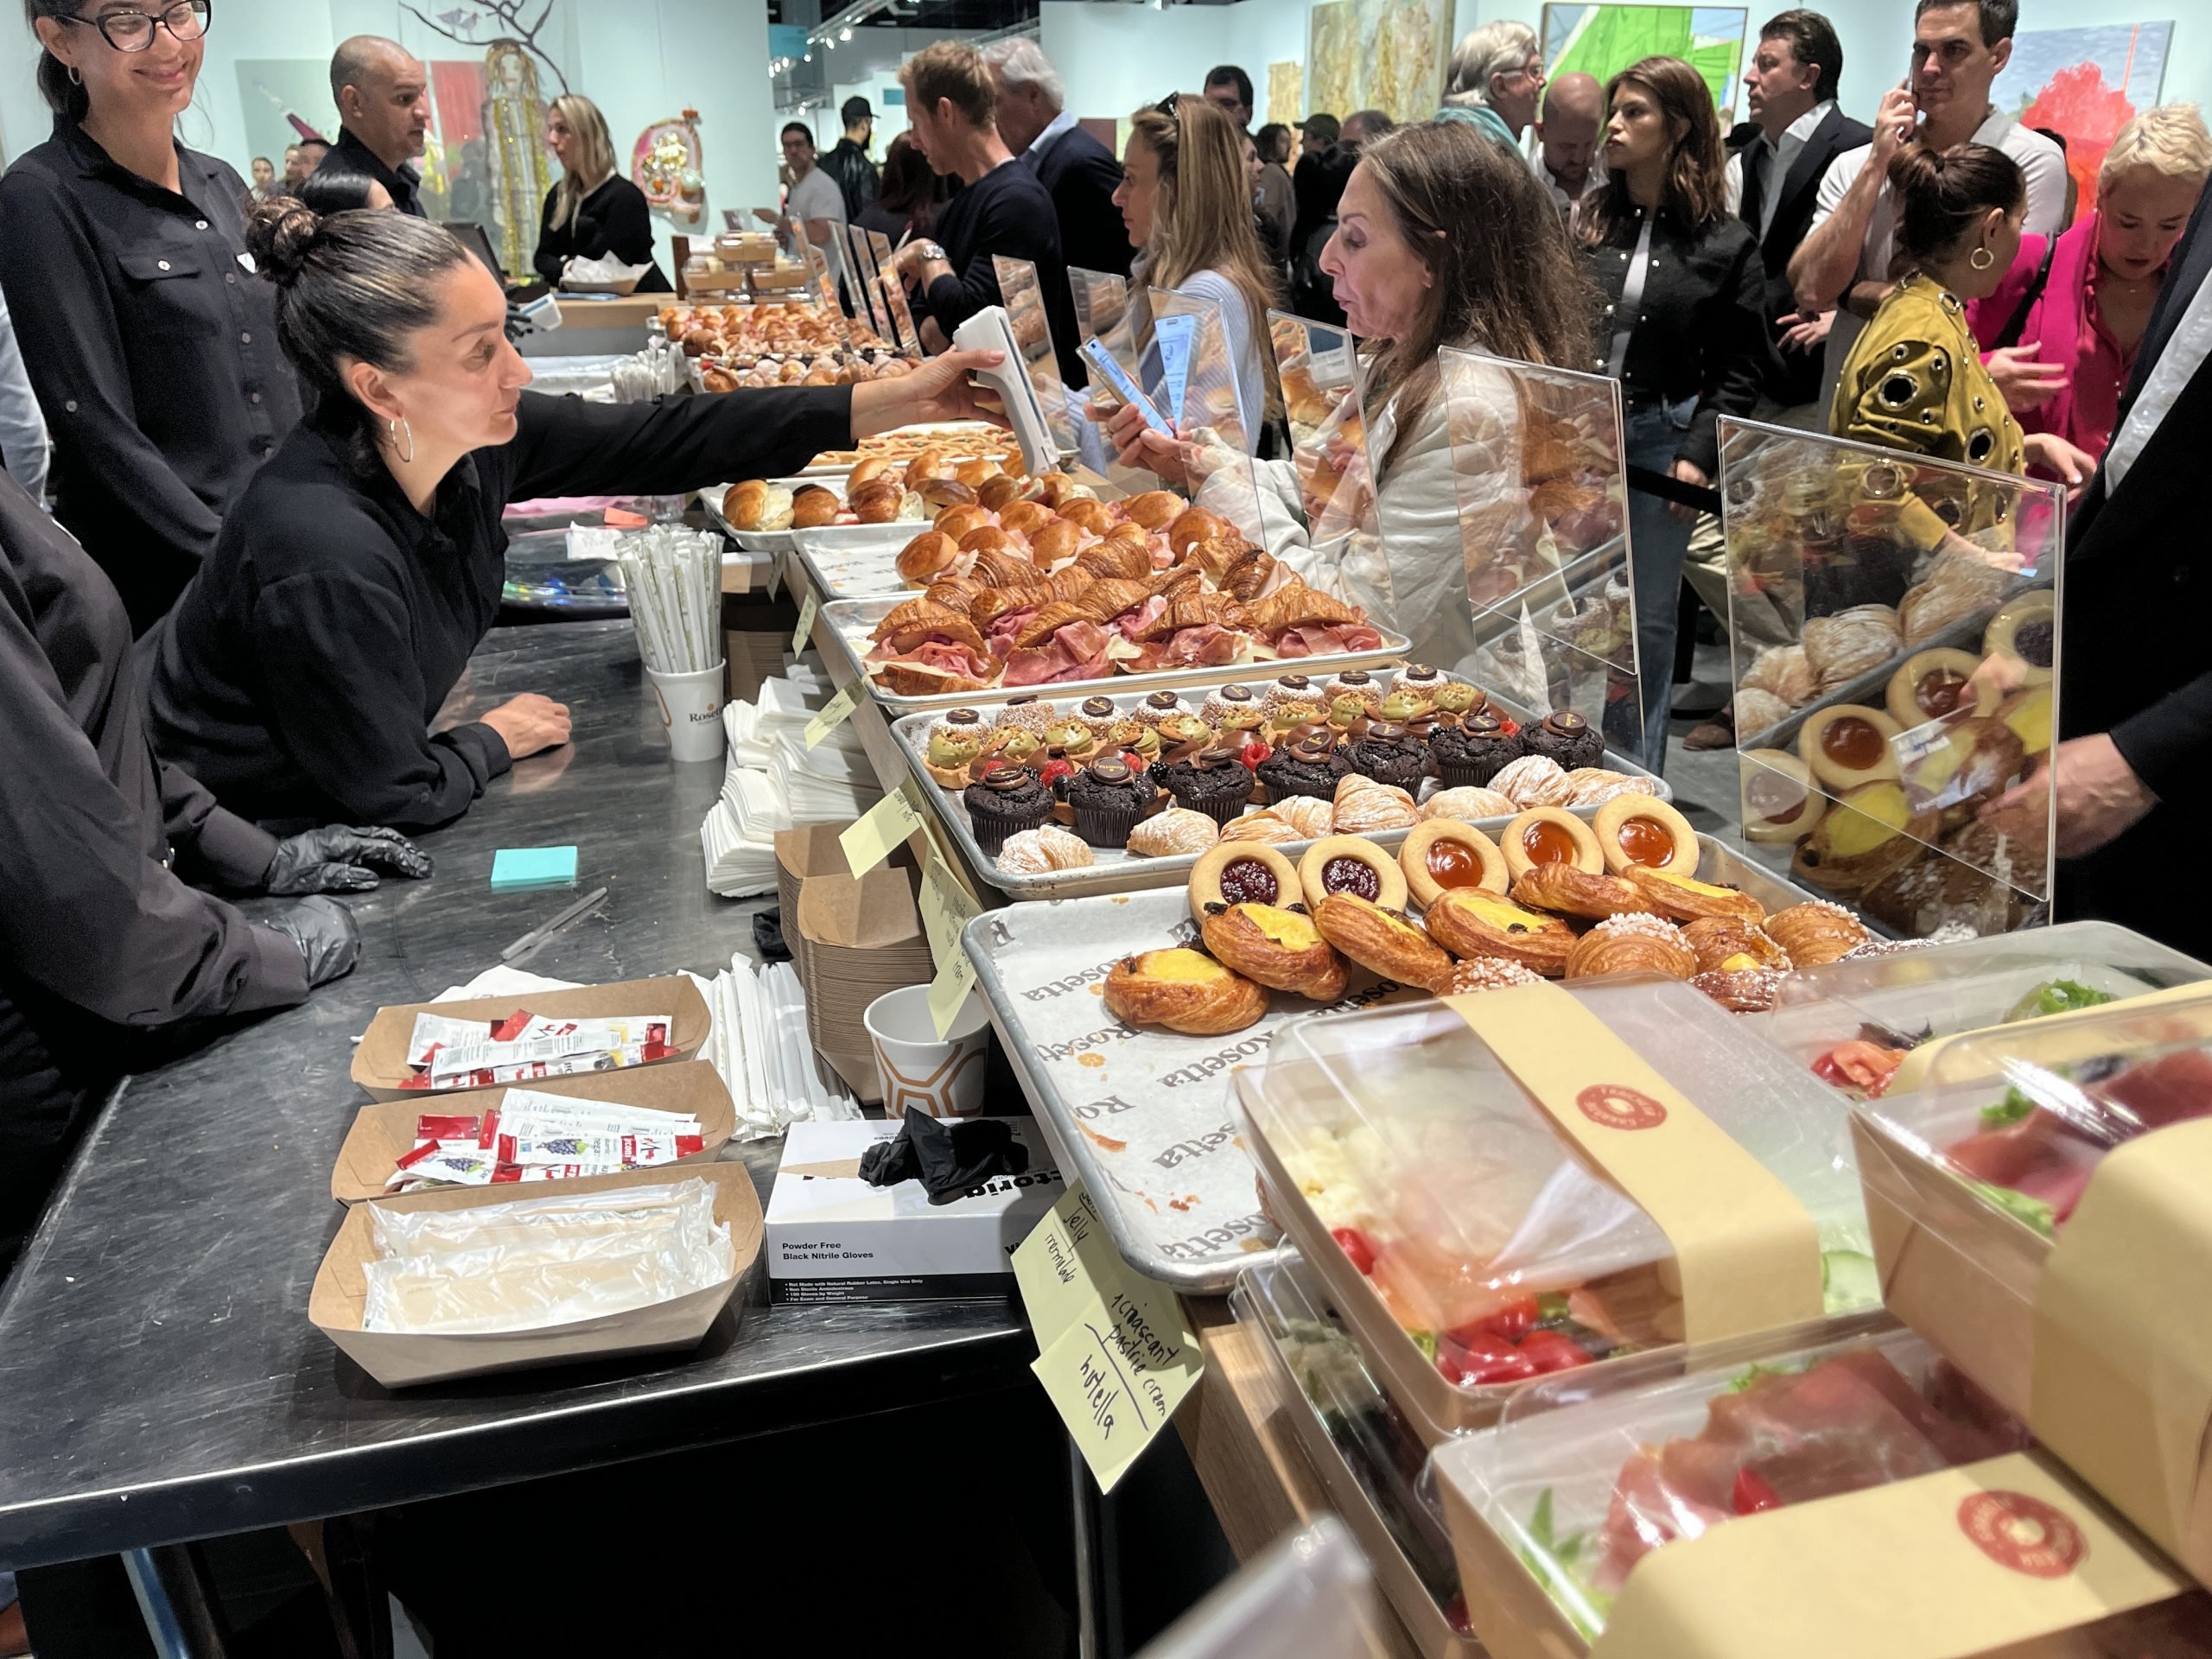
[{"x": 837, "y": 1240}]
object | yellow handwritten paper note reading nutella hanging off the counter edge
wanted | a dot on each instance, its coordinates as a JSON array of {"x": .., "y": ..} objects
[{"x": 1114, "y": 1350}]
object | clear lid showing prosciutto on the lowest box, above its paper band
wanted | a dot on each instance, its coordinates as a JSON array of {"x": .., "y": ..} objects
[{"x": 1589, "y": 1472}]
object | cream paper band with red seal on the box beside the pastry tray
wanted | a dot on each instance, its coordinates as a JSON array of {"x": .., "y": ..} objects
[{"x": 1746, "y": 1251}]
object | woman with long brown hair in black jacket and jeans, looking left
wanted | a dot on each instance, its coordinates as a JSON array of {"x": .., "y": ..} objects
[{"x": 1682, "y": 328}]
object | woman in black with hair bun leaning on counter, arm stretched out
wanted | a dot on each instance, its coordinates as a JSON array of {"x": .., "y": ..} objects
[{"x": 300, "y": 674}]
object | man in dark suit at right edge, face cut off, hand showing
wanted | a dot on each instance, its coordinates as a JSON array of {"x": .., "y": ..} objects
[{"x": 2133, "y": 769}]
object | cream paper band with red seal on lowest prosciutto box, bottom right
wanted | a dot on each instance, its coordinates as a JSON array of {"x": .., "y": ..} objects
[{"x": 1959, "y": 1563}]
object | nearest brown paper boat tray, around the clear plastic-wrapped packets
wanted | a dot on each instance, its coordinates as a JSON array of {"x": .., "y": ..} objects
[{"x": 408, "y": 1359}]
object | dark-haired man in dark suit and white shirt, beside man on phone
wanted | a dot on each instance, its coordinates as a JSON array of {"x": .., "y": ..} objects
[{"x": 1775, "y": 180}]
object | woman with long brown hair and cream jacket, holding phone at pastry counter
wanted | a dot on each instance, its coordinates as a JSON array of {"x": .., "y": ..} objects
[{"x": 1415, "y": 282}]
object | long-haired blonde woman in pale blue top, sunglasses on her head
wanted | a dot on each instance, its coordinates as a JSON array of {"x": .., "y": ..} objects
[{"x": 1187, "y": 207}]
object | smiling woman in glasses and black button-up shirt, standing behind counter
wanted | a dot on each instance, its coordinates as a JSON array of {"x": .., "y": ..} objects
[{"x": 149, "y": 344}]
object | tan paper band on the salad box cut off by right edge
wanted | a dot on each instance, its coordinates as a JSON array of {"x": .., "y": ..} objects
[{"x": 2122, "y": 1384}]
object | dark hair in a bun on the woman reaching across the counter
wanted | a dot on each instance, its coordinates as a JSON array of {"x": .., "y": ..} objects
[{"x": 355, "y": 286}]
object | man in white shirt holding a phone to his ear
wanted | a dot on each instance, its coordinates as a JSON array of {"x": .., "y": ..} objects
[{"x": 1959, "y": 52}]
